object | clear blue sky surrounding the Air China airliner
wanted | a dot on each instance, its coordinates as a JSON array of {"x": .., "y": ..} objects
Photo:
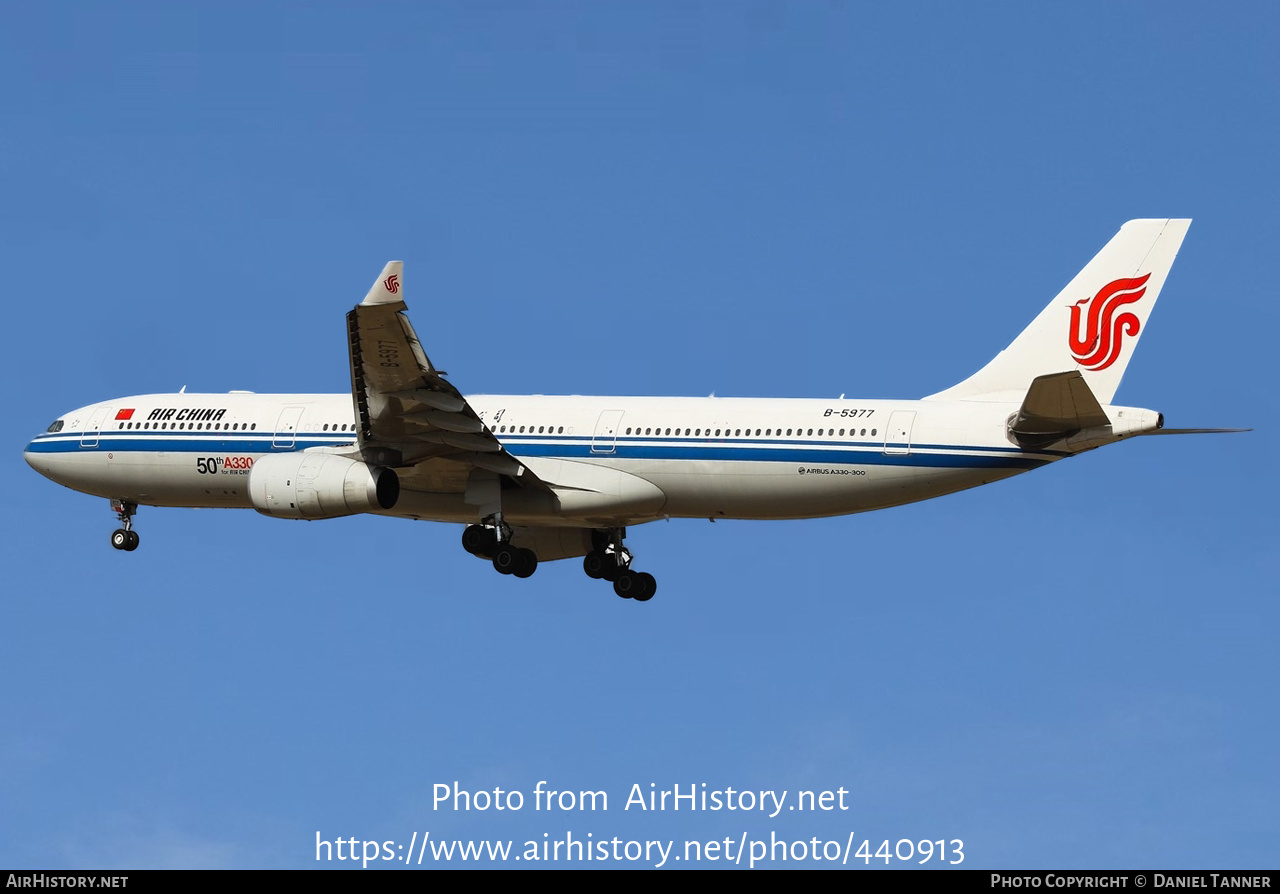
[{"x": 1071, "y": 669}]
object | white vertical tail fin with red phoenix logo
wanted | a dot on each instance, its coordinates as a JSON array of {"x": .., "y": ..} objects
[{"x": 1092, "y": 326}]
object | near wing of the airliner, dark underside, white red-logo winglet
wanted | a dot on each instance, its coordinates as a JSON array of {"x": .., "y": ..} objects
[{"x": 410, "y": 417}]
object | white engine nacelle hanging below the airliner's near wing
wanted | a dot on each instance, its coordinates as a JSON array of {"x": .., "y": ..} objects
[{"x": 319, "y": 486}]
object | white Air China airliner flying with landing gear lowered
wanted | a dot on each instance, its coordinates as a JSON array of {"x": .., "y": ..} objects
[{"x": 542, "y": 478}]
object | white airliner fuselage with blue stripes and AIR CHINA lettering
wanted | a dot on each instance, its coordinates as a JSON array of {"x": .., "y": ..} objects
[{"x": 678, "y": 458}]
